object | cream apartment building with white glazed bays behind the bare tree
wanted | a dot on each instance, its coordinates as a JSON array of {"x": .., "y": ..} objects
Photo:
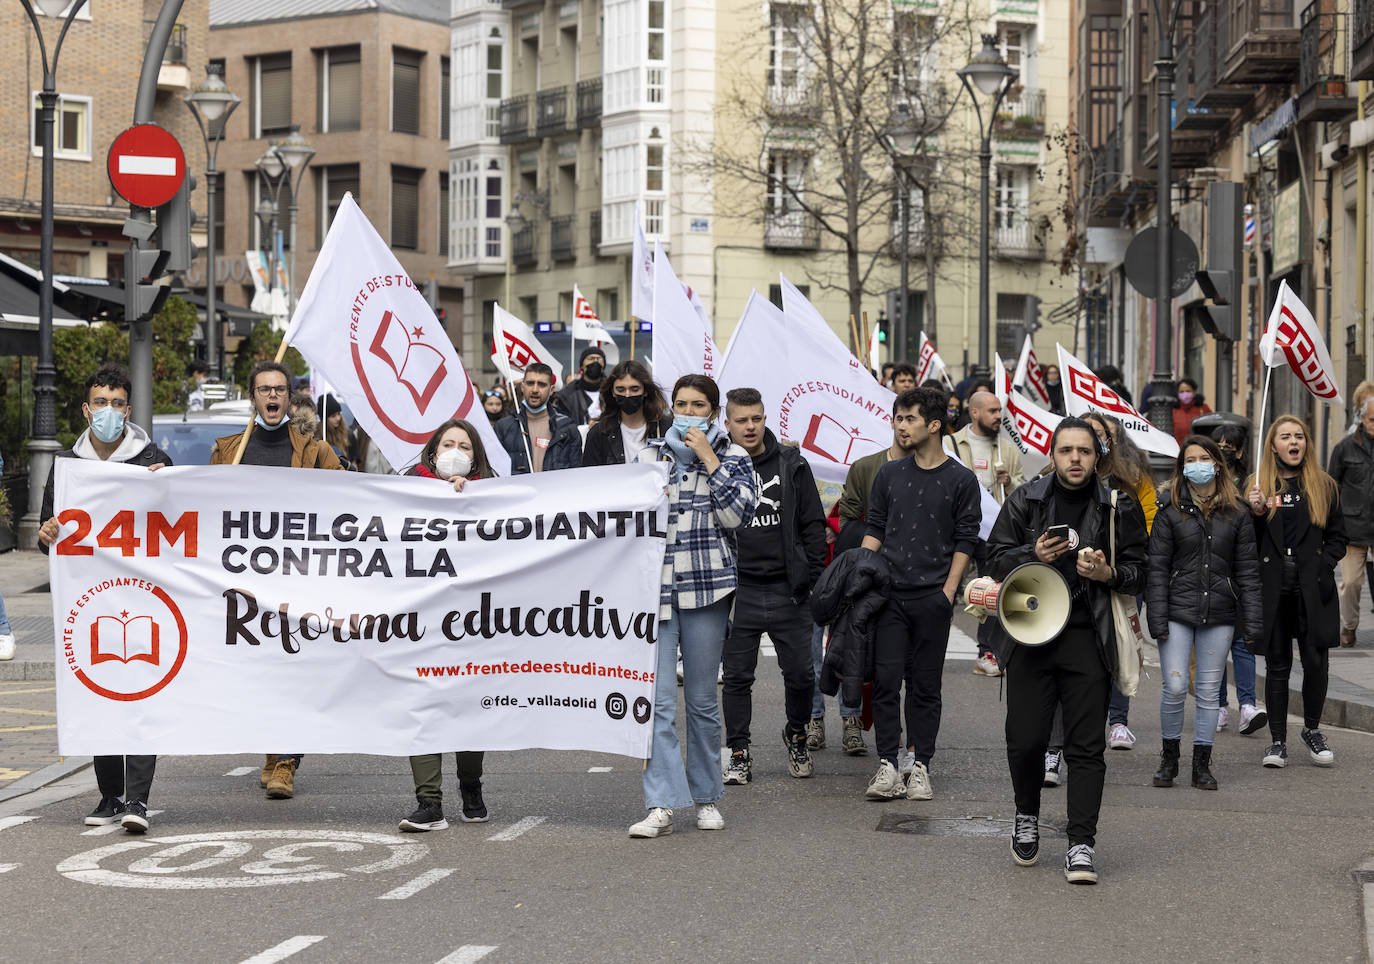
[{"x": 571, "y": 115}]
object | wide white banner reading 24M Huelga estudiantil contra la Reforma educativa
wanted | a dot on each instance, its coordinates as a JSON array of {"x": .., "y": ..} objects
[{"x": 215, "y": 610}]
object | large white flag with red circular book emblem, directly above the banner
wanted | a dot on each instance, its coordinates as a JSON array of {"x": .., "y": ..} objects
[{"x": 369, "y": 332}]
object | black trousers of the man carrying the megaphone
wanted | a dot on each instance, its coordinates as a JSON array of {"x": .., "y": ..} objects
[{"x": 1067, "y": 674}]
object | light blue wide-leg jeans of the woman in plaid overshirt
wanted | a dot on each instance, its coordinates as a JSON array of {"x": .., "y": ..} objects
[{"x": 701, "y": 634}]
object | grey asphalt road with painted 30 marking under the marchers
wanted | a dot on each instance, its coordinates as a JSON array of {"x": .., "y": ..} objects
[{"x": 806, "y": 870}]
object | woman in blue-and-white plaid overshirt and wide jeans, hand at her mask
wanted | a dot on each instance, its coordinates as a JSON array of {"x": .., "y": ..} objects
[{"x": 711, "y": 496}]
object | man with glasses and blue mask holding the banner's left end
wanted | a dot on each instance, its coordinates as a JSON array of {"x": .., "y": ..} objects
[{"x": 124, "y": 782}]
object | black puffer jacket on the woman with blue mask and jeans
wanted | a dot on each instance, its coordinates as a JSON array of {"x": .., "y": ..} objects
[{"x": 1203, "y": 572}]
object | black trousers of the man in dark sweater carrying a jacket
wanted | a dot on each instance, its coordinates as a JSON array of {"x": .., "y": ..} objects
[{"x": 910, "y": 643}]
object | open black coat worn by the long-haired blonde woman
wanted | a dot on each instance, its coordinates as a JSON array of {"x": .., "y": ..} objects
[{"x": 1318, "y": 553}]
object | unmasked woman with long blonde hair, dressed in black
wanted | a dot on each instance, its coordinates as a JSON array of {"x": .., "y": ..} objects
[{"x": 1300, "y": 535}]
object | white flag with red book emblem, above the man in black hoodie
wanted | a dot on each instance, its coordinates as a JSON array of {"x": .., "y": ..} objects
[{"x": 815, "y": 392}]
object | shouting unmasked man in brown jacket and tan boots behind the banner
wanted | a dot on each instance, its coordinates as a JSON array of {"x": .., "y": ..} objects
[{"x": 271, "y": 443}]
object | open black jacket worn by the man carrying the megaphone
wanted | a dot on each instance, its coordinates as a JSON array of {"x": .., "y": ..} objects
[{"x": 1024, "y": 518}]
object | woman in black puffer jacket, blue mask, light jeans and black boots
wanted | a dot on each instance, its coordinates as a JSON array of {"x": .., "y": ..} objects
[{"x": 1204, "y": 590}]
